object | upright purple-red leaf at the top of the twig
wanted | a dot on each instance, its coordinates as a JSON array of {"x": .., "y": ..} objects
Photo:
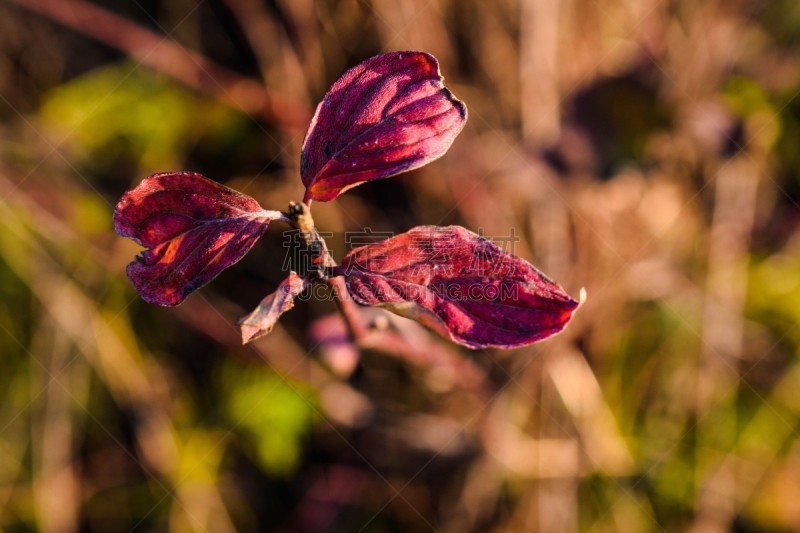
[{"x": 389, "y": 114}]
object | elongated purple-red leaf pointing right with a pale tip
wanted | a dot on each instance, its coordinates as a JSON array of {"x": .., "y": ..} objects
[{"x": 460, "y": 284}]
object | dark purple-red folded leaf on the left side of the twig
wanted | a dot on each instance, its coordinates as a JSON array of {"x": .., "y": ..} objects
[{"x": 192, "y": 227}]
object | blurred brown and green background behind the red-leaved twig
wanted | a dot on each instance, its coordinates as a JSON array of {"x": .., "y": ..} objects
[{"x": 646, "y": 150}]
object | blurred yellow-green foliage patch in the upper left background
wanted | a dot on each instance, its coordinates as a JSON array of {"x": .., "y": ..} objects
[{"x": 125, "y": 111}]
